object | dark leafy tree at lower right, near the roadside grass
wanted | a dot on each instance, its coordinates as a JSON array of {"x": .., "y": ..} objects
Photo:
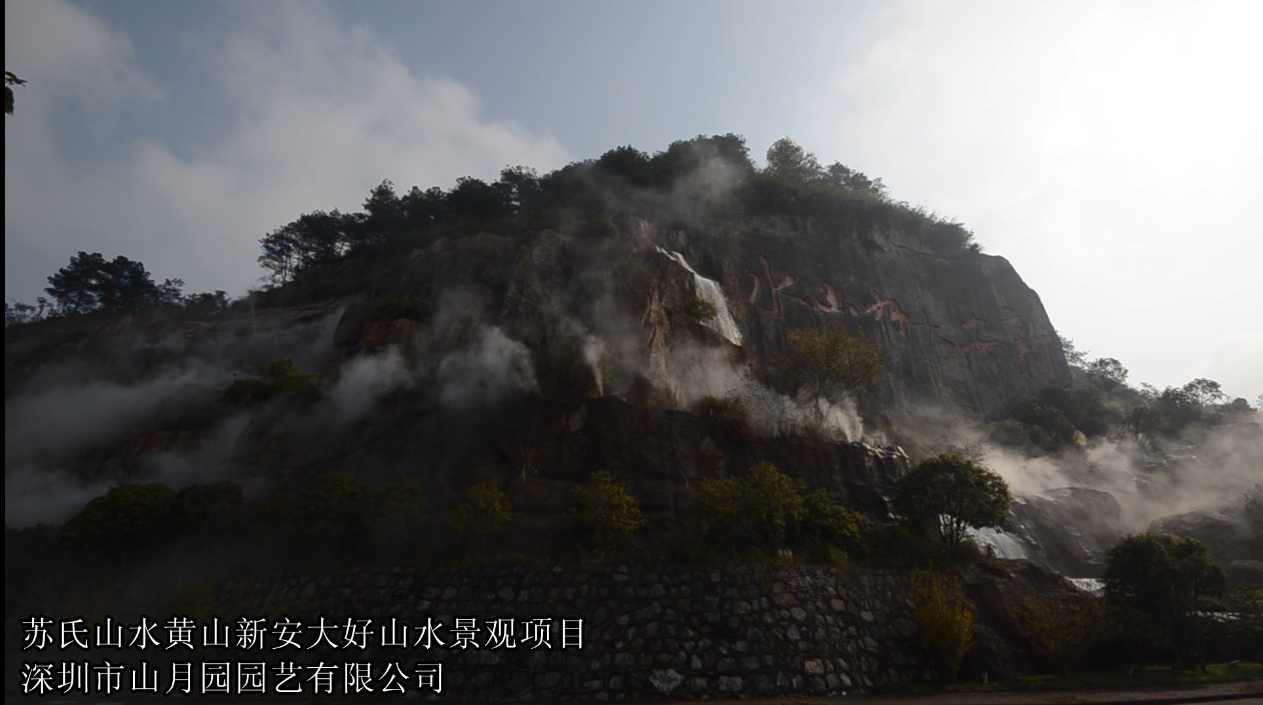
[{"x": 1161, "y": 579}]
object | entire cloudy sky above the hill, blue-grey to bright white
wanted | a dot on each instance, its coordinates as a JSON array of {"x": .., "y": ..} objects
[{"x": 1113, "y": 152}]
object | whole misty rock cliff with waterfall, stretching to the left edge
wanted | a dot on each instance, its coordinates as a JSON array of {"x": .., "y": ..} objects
[{"x": 565, "y": 351}]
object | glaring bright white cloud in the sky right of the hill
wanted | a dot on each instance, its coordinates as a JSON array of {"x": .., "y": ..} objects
[{"x": 1111, "y": 151}]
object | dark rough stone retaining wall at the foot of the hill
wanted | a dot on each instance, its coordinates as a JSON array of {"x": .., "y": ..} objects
[{"x": 649, "y": 634}]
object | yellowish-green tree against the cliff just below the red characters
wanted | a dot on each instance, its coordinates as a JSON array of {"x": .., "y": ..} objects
[{"x": 829, "y": 362}]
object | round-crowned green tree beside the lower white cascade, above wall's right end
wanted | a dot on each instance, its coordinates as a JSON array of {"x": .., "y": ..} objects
[{"x": 950, "y": 495}]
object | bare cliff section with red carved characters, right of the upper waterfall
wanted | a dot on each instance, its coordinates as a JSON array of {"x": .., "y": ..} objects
[{"x": 964, "y": 330}]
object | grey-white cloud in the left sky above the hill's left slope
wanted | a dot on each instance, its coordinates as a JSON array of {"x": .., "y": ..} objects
[{"x": 320, "y": 114}]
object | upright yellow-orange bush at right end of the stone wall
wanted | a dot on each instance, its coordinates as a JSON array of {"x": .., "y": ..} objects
[{"x": 947, "y": 624}]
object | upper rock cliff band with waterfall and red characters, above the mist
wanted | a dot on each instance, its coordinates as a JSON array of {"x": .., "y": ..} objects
[{"x": 963, "y": 330}]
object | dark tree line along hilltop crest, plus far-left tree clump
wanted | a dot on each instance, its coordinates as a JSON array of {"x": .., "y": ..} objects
[{"x": 705, "y": 178}]
